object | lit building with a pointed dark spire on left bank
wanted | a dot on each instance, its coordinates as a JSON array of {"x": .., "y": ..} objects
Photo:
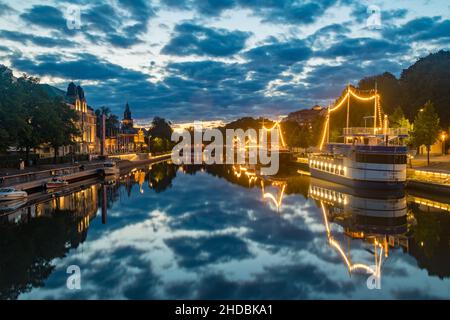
[{"x": 130, "y": 139}]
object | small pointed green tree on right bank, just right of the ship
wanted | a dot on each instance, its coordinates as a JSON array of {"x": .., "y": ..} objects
[{"x": 426, "y": 127}]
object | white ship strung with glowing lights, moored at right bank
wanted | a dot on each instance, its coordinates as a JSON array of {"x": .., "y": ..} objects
[{"x": 369, "y": 157}]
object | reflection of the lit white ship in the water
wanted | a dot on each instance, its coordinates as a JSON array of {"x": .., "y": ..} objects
[{"x": 376, "y": 218}]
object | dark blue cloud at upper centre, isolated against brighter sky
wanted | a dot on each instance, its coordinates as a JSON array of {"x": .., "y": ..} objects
[{"x": 191, "y": 39}]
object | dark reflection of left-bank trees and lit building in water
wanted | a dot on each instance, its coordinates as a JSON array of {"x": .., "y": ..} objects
[{"x": 33, "y": 236}]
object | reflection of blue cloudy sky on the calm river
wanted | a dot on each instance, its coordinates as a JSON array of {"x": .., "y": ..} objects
[{"x": 207, "y": 238}]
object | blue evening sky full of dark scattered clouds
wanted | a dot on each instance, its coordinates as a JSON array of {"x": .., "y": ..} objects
[{"x": 189, "y": 60}]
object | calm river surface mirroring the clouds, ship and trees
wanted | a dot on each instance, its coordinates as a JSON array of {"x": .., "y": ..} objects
[{"x": 168, "y": 232}]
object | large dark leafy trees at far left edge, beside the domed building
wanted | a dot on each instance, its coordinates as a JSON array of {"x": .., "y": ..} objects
[{"x": 29, "y": 117}]
